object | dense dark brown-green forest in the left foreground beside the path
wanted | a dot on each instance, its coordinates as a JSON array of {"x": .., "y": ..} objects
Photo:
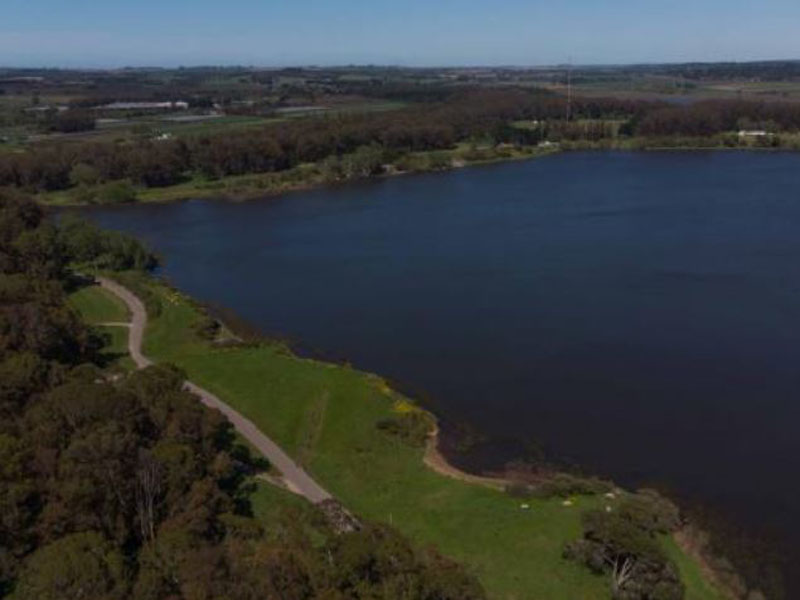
[{"x": 128, "y": 487}]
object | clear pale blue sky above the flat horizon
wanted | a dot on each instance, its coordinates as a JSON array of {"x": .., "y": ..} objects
[{"x": 114, "y": 33}]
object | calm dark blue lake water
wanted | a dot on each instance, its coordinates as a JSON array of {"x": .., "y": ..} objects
[{"x": 635, "y": 313}]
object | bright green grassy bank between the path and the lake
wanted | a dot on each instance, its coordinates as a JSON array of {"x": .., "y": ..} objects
[{"x": 325, "y": 416}]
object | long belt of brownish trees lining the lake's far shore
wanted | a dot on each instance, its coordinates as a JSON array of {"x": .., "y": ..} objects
[{"x": 472, "y": 115}]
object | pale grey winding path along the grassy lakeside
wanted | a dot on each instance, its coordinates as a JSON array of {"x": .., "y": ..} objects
[{"x": 294, "y": 476}]
